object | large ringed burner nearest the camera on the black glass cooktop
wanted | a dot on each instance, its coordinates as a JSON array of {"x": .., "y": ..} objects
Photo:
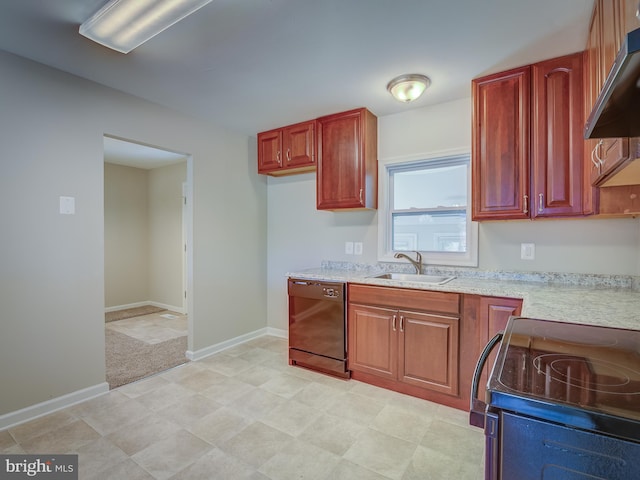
[{"x": 588, "y": 374}]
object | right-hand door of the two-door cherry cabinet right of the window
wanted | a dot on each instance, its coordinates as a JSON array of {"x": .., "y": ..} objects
[{"x": 557, "y": 146}]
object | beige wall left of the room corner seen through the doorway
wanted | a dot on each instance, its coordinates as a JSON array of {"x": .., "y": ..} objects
[{"x": 126, "y": 235}]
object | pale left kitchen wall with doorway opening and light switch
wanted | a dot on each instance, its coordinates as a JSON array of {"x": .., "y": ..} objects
[{"x": 52, "y": 266}]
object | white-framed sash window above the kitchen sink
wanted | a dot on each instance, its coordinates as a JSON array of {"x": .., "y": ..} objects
[{"x": 424, "y": 207}]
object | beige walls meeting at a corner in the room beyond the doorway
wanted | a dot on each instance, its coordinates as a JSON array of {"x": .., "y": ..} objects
[{"x": 143, "y": 236}]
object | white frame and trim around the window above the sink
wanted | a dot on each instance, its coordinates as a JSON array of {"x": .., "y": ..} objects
[{"x": 385, "y": 254}]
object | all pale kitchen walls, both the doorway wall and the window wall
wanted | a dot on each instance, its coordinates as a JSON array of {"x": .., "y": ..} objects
[{"x": 52, "y": 266}]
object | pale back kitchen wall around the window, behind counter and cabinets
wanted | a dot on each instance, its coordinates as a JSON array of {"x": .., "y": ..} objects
[{"x": 300, "y": 237}]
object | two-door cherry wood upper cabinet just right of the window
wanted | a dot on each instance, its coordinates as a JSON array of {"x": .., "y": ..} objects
[{"x": 527, "y": 141}]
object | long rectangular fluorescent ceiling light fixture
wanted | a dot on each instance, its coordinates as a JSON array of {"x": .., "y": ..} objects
[{"x": 123, "y": 25}]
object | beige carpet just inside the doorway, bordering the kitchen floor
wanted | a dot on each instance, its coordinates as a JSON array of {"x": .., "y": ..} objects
[{"x": 129, "y": 359}]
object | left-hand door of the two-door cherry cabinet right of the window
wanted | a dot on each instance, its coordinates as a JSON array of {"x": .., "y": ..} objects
[{"x": 500, "y": 145}]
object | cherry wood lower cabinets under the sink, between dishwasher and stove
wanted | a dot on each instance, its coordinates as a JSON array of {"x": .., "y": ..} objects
[{"x": 419, "y": 342}]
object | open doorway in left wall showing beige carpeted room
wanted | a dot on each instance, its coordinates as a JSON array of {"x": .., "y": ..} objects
[{"x": 146, "y": 276}]
